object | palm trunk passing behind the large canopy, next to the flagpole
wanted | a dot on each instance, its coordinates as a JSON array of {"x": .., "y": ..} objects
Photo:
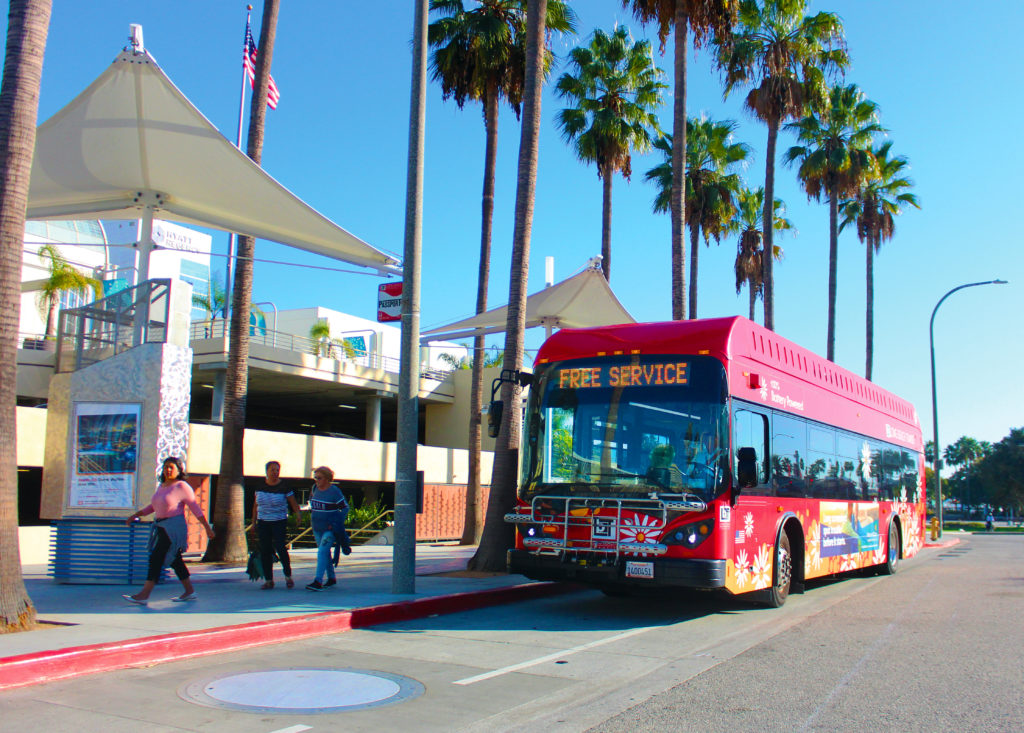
[{"x": 229, "y": 514}]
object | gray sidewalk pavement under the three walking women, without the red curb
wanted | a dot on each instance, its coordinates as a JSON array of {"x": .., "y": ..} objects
[{"x": 88, "y": 615}]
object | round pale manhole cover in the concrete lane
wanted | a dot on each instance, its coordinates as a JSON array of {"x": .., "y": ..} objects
[{"x": 303, "y": 692}]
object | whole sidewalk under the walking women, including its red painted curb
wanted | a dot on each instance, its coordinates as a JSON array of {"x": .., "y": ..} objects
[{"x": 96, "y": 630}]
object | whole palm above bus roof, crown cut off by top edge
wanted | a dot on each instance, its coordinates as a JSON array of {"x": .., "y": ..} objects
[{"x": 707, "y": 20}]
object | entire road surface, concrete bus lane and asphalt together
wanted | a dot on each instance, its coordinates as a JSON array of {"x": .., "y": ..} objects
[{"x": 936, "y": 648}]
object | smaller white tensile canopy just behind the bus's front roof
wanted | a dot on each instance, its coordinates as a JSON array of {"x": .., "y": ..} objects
[{"x": 582, "y": 301}]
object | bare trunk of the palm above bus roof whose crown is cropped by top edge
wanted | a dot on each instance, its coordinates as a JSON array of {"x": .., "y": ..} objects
[{"x": 679, "y": 167}]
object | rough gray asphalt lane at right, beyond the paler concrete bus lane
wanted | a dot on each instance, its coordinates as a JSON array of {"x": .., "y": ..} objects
[{"x": 936, "y": 649}]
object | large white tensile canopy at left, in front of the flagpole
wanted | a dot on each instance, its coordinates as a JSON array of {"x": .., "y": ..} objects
[{"x": 133, "y": 147}]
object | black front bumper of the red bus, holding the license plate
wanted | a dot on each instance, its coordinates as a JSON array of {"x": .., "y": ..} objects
[{"x": 639, "y": 572}]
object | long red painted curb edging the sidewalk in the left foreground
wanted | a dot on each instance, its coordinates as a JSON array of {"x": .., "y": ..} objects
[{"x": 56, "y": 665}]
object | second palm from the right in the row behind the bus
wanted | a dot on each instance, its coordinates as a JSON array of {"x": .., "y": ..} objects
[{"x": 835, "y": 161}]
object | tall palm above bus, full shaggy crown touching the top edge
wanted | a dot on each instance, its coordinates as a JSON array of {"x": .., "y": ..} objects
[{"x": 784, "y": 57}]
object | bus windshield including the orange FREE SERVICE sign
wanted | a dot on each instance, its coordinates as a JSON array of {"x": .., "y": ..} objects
[{"x": 627, "y": 426}]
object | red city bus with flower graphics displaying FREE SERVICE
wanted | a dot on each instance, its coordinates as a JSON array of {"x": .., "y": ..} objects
[{"x": 711, "y": 454}]
